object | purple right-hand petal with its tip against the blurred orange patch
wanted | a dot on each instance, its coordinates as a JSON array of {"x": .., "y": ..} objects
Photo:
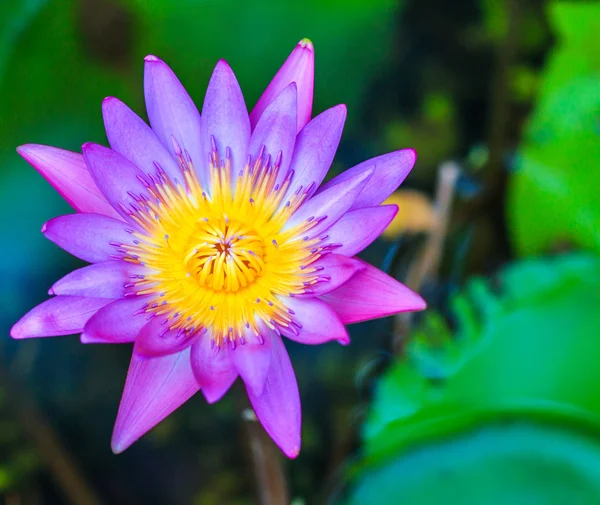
[{"x": 359, "y": 228}]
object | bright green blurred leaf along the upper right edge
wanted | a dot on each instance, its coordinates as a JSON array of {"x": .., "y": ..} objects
[{"x": 552, "y": 196}]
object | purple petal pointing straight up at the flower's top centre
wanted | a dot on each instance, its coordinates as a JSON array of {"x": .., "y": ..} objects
[{"x": 225, "y": 116}]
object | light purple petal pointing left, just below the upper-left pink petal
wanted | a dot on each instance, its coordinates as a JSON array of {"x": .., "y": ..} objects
[{"x": 88, "y": 236}]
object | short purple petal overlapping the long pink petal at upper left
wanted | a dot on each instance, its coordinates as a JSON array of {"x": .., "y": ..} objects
[{"x": 118, "y": 179}]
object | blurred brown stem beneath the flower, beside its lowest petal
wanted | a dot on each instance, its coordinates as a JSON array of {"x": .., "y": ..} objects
[{"x": 271, "y": 485}]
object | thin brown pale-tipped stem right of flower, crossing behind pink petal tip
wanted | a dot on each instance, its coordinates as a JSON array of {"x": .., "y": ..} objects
[{"x": 428, "y": 261}]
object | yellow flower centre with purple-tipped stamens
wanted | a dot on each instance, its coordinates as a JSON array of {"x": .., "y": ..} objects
[{"x": 218, "y": 258}]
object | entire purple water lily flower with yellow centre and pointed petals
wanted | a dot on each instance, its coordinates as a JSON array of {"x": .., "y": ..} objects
[{"x": 210, "y": 238}]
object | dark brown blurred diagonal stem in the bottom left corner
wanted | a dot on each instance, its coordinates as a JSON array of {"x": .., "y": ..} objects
[{"x": 57, "y": 459}]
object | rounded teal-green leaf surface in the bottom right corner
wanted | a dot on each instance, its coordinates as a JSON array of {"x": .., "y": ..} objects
[{"x": 519, "y": 463}]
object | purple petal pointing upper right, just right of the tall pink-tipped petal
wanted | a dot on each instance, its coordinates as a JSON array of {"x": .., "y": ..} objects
[{"x": 315, "y": 148}]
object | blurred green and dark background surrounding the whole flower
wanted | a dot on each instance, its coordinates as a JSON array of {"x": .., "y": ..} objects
[{"x": 489, "y": 397}]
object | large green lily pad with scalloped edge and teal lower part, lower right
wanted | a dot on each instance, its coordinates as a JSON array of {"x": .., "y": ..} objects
[{"x": 524, "y": 350}]
